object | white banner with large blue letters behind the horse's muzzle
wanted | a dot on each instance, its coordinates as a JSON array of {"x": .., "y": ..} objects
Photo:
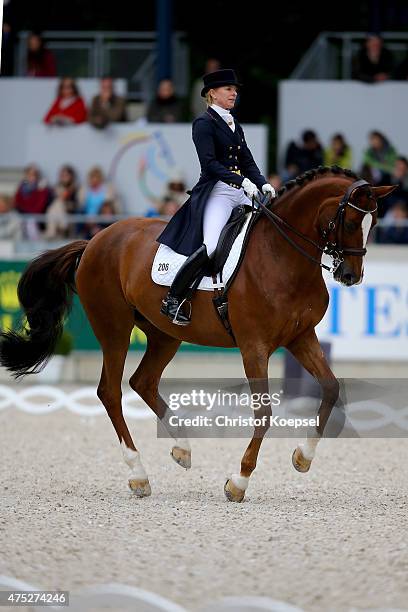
[{"x": 370, "y": 321}]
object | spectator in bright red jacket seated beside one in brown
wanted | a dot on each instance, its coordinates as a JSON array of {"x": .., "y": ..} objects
[{"x": 68, "y": 108}]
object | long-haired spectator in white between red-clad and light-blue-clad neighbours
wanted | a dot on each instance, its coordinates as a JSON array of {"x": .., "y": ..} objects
[{"x": 64, "y": 203}]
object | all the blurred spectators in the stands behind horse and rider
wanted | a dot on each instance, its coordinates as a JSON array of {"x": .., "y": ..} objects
[{"x": 69, "y": 208}]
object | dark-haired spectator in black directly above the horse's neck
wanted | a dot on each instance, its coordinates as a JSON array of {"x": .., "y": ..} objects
[{"x": 304, "y": 156}]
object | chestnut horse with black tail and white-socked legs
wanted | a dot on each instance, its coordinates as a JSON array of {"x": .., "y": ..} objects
[{"x": 276, "y": 300}]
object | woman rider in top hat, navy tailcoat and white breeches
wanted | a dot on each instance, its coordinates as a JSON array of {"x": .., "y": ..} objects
[{"x": 229, "y": 176}]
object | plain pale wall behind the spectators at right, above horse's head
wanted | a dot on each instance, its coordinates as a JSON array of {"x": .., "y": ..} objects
[{"x": 349, "y": 107}]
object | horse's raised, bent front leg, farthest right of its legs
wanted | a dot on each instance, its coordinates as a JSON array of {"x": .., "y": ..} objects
[{"x": 309, "y": 353}]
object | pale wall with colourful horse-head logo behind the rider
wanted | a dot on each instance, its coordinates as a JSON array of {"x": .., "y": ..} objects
[{"x": 139, "y": 158}]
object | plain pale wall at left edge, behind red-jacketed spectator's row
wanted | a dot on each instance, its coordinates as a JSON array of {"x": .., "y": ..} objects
[{"x": 24, "y": 102}]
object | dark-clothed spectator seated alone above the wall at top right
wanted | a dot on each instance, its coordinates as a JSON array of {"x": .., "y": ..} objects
[{"x": 373, "y": 63}]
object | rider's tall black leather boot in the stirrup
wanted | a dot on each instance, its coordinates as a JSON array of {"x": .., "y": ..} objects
[{"x": 172, "y": 305}]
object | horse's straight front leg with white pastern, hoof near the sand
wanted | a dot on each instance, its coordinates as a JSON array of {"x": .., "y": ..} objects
[{"x": 256, "y": 369}]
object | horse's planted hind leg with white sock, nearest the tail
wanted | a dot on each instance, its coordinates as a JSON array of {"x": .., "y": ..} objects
[{"x": 112, "y": 321}]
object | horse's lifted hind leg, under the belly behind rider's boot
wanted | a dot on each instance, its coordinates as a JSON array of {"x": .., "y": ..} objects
[{"x": 160, "y": 350}]
